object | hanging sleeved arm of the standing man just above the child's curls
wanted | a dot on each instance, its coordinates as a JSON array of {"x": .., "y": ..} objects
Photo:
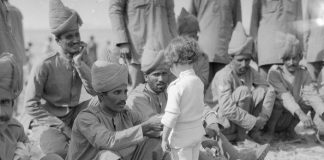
[{"x": 171, "y": 18}]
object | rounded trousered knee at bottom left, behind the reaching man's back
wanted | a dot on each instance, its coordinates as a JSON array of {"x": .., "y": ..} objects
[{"x": 53, "y": 141}]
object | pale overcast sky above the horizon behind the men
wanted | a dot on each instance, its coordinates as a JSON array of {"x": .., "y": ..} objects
[{"x": 94, "y": 13}]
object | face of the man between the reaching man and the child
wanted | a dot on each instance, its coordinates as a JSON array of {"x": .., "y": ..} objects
[{"x": 157, "y": 80}]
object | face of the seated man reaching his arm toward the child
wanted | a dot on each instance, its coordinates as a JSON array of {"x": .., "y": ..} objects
[{"x": 115, "y": 100}]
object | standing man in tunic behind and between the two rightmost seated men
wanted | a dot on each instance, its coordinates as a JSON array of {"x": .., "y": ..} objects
[{"x": 270, "y": 17}]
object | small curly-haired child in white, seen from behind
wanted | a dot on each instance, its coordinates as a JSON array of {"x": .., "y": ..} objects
[{"x": 183, "y": 129}]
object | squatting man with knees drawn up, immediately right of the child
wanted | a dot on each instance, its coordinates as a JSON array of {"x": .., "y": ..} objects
[{"x": 239, "y": 94}]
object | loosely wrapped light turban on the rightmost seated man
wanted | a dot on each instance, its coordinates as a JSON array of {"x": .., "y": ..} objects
[{"x": 286, "y": 44}]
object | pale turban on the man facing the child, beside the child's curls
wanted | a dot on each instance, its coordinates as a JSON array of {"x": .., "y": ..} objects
[{"x": 153, "y": 57}]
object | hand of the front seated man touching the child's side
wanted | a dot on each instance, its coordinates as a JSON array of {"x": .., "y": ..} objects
[{"x": 152, "y": 124}]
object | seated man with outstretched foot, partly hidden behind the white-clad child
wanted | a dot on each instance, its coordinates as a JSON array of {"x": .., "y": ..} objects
[{"x": 150, "y": 99}]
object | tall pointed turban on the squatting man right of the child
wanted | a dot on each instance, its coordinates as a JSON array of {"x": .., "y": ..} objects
[{"x": 240, "y": 43}]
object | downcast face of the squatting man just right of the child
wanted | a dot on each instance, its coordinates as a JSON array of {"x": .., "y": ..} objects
[{"x": 241, "y": 63}]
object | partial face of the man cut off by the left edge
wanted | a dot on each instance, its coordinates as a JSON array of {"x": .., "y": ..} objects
[{"x": 6, "y": 110}]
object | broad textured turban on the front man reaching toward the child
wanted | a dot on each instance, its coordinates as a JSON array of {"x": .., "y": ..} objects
[{"x": 107, "y": 76}]
